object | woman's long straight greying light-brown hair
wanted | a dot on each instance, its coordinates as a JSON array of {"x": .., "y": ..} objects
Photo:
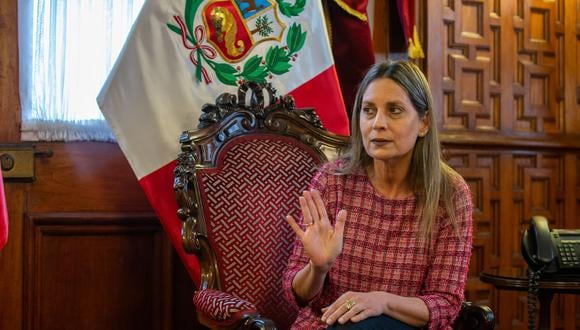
[{"x": 429, "y": 177}]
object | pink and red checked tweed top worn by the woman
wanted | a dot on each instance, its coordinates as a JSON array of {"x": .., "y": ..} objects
[{"x": 381, "y": 251}]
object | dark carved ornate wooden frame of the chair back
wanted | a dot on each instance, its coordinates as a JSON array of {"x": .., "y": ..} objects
[{"x": 228, "y": 118}]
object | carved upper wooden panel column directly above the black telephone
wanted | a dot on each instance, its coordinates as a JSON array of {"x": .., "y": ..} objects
[{"x": 539, "y": 71}]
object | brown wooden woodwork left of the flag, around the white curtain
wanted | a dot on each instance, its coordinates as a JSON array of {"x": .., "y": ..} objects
[{"x": 85, "y": 250}]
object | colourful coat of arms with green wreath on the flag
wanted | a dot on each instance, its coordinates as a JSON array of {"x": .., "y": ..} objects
[{"x": 228, "y": 30}]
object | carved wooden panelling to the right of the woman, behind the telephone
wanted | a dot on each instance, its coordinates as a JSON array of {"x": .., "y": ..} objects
[{"x": 505, "y": 79}]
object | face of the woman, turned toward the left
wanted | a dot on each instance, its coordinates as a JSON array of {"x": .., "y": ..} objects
[{"x": 389, "y": 123}]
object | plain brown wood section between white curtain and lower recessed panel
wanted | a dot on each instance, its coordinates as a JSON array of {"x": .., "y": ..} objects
[{"x": 96, "y": 174}]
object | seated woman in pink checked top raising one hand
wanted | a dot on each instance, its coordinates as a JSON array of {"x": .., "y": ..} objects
[{"x": 386, "y": 230}]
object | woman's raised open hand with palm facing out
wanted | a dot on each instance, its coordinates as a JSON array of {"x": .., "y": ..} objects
[{"x": 322, "y": 242}]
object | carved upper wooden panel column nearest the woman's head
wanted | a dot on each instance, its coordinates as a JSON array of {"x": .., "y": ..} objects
[{"x": 470, "y": 74}]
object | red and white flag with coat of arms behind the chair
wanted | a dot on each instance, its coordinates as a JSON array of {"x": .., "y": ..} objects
[{"x": 182, "y": 54}]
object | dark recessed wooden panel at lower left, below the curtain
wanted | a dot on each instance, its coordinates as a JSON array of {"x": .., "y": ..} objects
[{"x": 107, "y": 269}]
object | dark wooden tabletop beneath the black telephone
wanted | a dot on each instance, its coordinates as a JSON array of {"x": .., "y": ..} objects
[{"x": 517, "y": 279}]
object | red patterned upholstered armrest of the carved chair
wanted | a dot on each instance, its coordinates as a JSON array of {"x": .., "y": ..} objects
[{"x": 218, "y": 309}]
